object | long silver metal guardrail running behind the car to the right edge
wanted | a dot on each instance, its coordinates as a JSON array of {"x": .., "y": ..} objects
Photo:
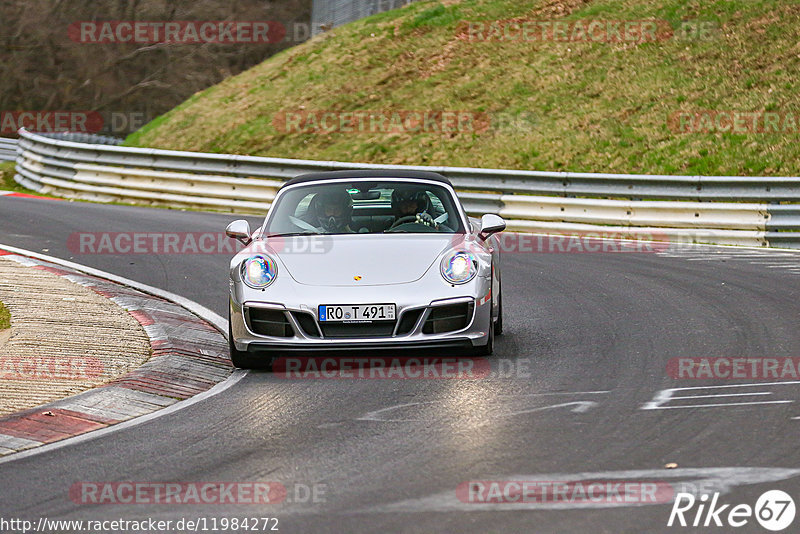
[{"x": 703, "y": 209}]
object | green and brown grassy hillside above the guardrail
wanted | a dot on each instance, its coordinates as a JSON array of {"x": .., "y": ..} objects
[{"x": 601, "y": 107}]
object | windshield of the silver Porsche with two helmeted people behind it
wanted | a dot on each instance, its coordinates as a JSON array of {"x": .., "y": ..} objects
[{"x": 364, "y": 207}]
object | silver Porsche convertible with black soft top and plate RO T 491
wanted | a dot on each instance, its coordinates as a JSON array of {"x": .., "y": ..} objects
[{"x": 365, "y": 260}]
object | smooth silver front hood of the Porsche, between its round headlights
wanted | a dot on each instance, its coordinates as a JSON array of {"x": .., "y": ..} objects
[{"x": 376, "y": 259}]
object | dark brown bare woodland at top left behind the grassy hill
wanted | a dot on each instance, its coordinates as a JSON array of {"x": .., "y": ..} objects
[{"x": 43, "y": 68}]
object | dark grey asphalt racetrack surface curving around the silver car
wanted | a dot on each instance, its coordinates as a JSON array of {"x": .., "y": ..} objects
[{"x": 580, "y": 391}]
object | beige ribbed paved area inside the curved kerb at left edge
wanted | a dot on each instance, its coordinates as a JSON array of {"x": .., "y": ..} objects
[{"x": 64, "y": 338}]
